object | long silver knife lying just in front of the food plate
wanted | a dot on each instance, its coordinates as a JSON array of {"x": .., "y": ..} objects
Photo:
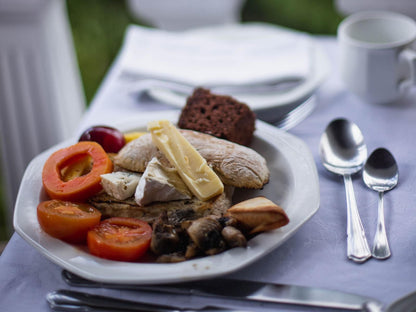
[{"x": 243, "y": 290}]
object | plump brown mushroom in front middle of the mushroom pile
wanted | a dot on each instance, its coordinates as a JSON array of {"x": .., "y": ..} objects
[{"x": 206, "y": 234}]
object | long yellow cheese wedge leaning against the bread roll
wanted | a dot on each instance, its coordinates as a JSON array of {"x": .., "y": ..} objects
[{"x": 192, "y": 167}]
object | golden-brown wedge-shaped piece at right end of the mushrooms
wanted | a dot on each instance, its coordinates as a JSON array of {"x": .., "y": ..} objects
[{"x": 258, "y": 215}]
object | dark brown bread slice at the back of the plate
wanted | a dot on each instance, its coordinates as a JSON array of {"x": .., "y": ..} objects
[{"x": 219, "y": 115}]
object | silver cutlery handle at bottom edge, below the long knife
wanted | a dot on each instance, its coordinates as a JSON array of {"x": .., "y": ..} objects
[{"x": 69, "y": 300}]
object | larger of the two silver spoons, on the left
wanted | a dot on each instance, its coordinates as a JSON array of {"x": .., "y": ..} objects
[{"x": 343, "y": 151}]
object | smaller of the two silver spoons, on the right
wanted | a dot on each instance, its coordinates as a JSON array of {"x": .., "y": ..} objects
[{"x": 381, "y": 174}]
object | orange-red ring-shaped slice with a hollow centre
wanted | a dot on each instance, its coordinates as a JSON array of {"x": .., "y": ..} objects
[{"x": 81, "y": 187}]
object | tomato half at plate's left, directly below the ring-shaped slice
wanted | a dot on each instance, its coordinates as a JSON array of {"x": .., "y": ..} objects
[{"x": 66, "y": 220}]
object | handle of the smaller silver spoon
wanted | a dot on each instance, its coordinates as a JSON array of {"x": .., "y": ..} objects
[{"x": 381, "y": 249}]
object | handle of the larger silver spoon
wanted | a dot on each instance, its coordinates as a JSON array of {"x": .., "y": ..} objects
[{"x": 358, "y": 249}]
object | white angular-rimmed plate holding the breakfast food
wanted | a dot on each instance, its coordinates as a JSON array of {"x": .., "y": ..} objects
[{"x": 293, "y": 185}]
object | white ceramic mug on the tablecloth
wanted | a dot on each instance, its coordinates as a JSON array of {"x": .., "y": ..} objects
[{"x": 377, "y": 60}]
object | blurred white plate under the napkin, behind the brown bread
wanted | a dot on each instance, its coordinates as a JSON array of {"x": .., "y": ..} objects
[{"x": 267, "y": 105}]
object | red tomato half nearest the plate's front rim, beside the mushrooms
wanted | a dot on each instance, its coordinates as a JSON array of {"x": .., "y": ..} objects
[{"x": 121, "y": 239}]
